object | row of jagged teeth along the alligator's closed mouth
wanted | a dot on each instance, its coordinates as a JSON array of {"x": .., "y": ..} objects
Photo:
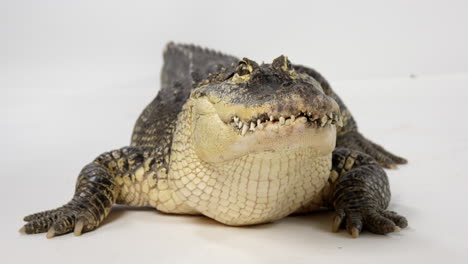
[{"x": 311, "y": 120}]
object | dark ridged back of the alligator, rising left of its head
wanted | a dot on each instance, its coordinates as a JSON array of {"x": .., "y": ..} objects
[{"x": 184, "y": 66}]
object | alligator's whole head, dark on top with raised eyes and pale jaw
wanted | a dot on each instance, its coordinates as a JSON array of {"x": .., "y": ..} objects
[{"x": 252, "y": 108}]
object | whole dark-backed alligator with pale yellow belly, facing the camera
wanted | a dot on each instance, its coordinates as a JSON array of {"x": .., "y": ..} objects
[{"x": 238, "y": 142}]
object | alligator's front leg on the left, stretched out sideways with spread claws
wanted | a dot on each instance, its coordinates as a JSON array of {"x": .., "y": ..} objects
[{"x": 95, "y": 193}]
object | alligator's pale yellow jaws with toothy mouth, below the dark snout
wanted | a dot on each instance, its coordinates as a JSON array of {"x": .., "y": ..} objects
[{"x": 224, "y": 132}]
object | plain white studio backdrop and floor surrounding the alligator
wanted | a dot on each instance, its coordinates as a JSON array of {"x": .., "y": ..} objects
[{"x": 74, "y": 76}]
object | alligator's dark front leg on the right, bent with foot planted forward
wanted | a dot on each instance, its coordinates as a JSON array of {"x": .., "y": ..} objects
[{"x": 360, "y": 194}]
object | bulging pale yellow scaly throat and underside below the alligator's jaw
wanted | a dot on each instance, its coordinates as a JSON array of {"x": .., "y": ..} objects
[{"x": 256, "y": 188}]
